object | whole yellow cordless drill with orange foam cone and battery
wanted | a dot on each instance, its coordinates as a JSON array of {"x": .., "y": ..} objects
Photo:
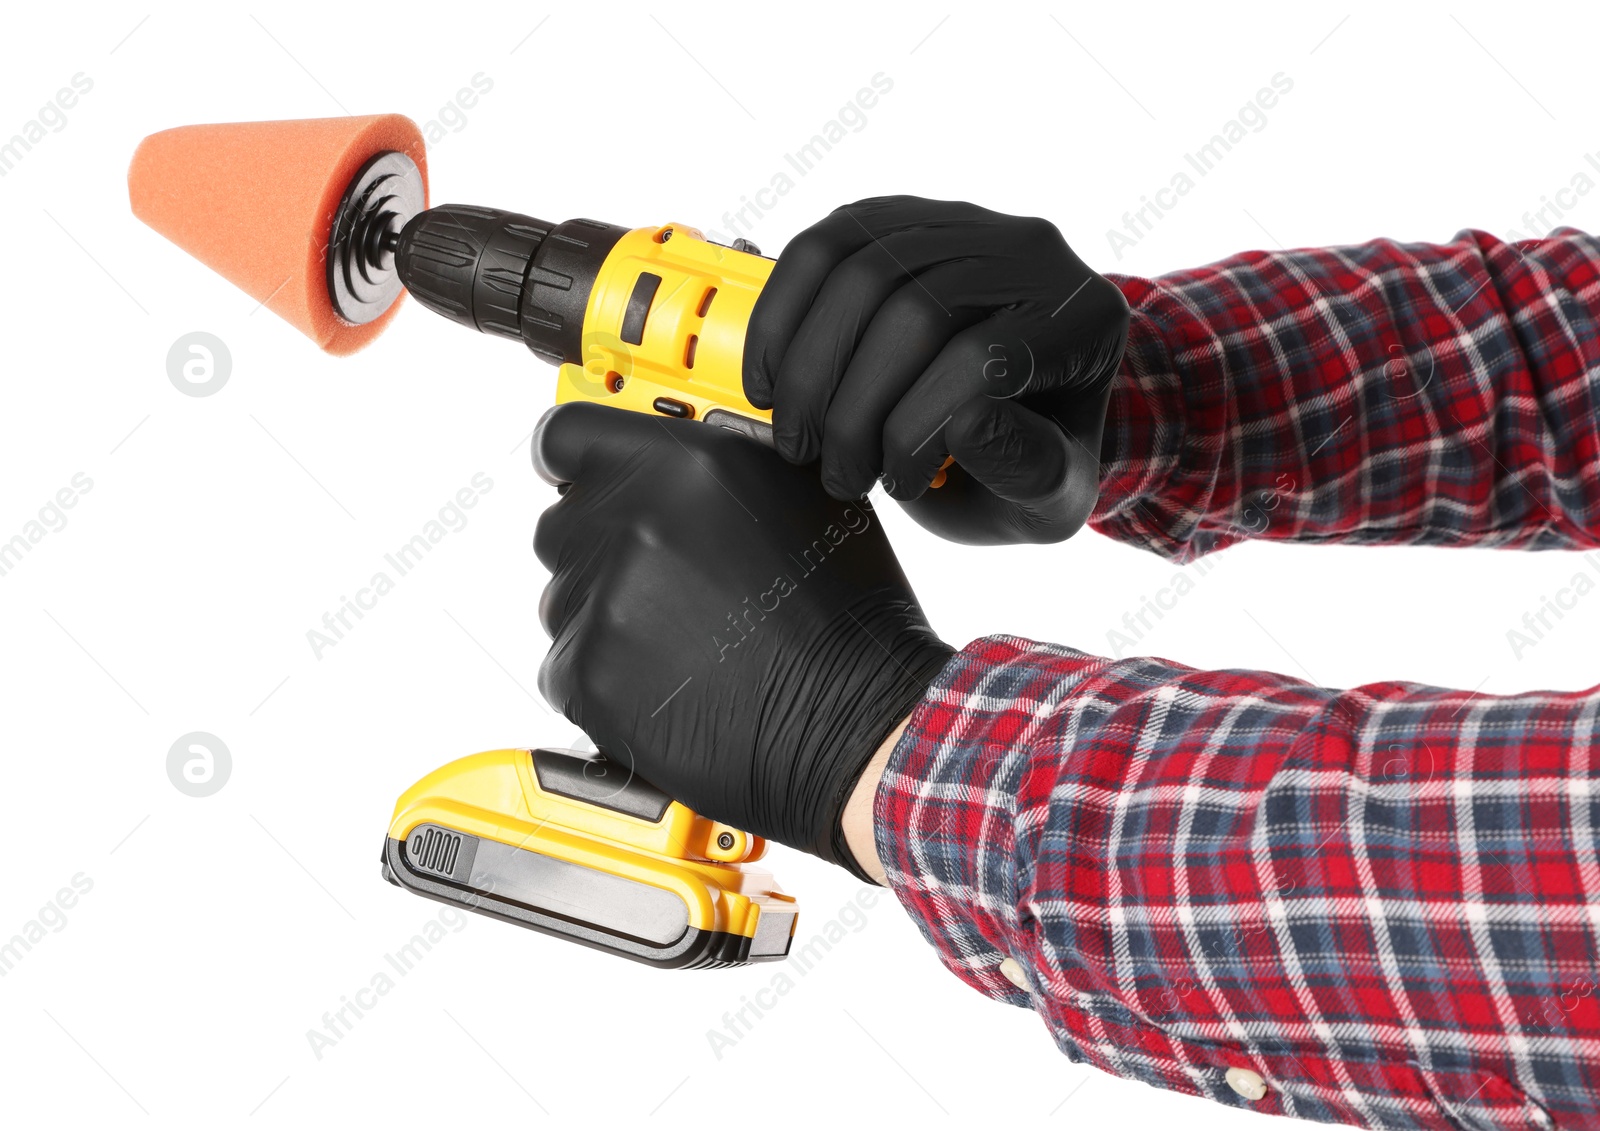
[{"x": 327, "y": 223}]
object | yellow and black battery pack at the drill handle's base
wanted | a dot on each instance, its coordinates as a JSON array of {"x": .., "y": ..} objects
[{"x": 575, "y": 845}]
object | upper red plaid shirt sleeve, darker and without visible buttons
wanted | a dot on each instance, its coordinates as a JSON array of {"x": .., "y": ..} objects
[{"x": 1386, "y": 393}]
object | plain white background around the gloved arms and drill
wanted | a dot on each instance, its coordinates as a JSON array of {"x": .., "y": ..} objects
[{"x": 220, "y": 530}]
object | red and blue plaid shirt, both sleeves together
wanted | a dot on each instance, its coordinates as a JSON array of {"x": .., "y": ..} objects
[{"x": 1383, "y": 901}]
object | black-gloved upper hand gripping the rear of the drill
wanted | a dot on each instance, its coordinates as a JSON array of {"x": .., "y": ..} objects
[{"x": 900, "y": 332}]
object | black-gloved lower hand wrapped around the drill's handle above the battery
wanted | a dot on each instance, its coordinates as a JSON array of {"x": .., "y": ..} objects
[{"x": 721, "y": 625}]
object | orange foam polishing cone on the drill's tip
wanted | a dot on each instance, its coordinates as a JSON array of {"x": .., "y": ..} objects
[{"x": 255, "y": 202}]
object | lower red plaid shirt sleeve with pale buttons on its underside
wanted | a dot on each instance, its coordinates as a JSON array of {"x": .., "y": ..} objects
[{"x": 1385, "y": 903}]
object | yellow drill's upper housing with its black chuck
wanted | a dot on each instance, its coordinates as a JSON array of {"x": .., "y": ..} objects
[{"x": 650, "y": 319}]
